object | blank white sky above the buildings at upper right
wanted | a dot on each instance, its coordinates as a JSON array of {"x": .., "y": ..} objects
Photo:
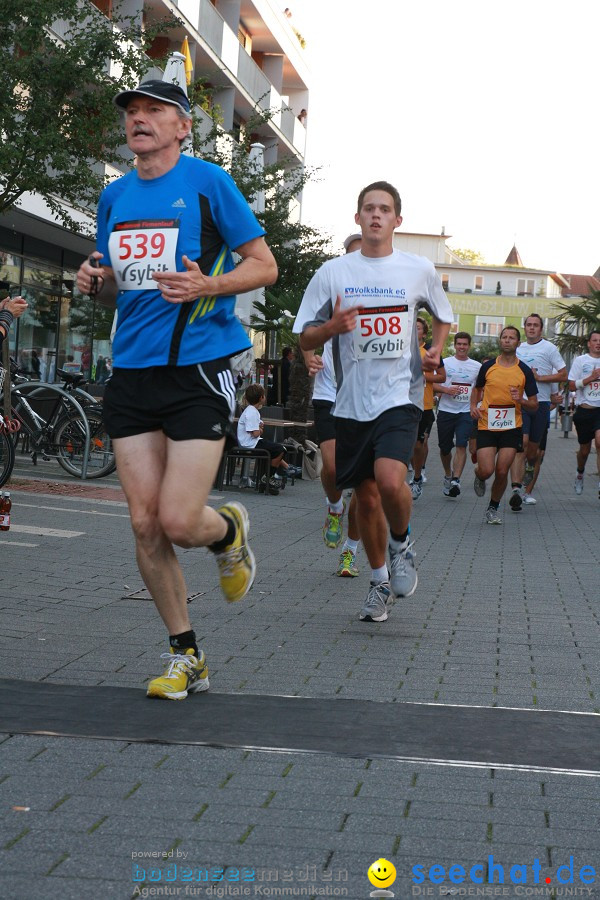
[{"x": 484, "y": 114}]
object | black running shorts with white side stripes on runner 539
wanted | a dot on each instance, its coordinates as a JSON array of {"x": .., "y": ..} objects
[{"x": 186, "y": 402}]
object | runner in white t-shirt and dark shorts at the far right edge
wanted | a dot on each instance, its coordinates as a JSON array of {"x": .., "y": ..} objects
[{"x": 584, "y": 378}]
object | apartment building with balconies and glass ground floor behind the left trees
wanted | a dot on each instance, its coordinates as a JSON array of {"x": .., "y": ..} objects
[{"x": 250, "y": 56}]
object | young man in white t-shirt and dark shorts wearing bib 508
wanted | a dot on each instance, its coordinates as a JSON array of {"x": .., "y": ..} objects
[{"x": 366, "y": 303}]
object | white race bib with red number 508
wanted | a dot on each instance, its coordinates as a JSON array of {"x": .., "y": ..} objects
[{"x": 382, "y": 332}]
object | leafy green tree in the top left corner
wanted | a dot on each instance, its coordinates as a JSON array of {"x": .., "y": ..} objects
[{"x": 57, "y": 116}]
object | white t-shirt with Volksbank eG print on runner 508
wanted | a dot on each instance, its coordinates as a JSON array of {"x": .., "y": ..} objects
[{"x": 378, "y": 365}]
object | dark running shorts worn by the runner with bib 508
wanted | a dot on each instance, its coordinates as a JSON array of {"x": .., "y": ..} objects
[{"x": 391, "y": 435}]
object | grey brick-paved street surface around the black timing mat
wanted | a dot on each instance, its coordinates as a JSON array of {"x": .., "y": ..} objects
[{"x": 503, "y": 616}]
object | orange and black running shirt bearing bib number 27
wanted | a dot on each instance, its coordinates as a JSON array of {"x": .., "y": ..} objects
[{"x": 496, "y": 381}]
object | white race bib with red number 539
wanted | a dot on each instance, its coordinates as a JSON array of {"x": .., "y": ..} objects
[{"x": 139, "y": 248}]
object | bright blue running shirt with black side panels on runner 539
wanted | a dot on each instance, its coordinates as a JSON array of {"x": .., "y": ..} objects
[{"x": 144, "y": 226}]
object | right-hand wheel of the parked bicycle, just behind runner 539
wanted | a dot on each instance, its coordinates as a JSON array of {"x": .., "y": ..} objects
[{"x": 69, "y": 438}]
